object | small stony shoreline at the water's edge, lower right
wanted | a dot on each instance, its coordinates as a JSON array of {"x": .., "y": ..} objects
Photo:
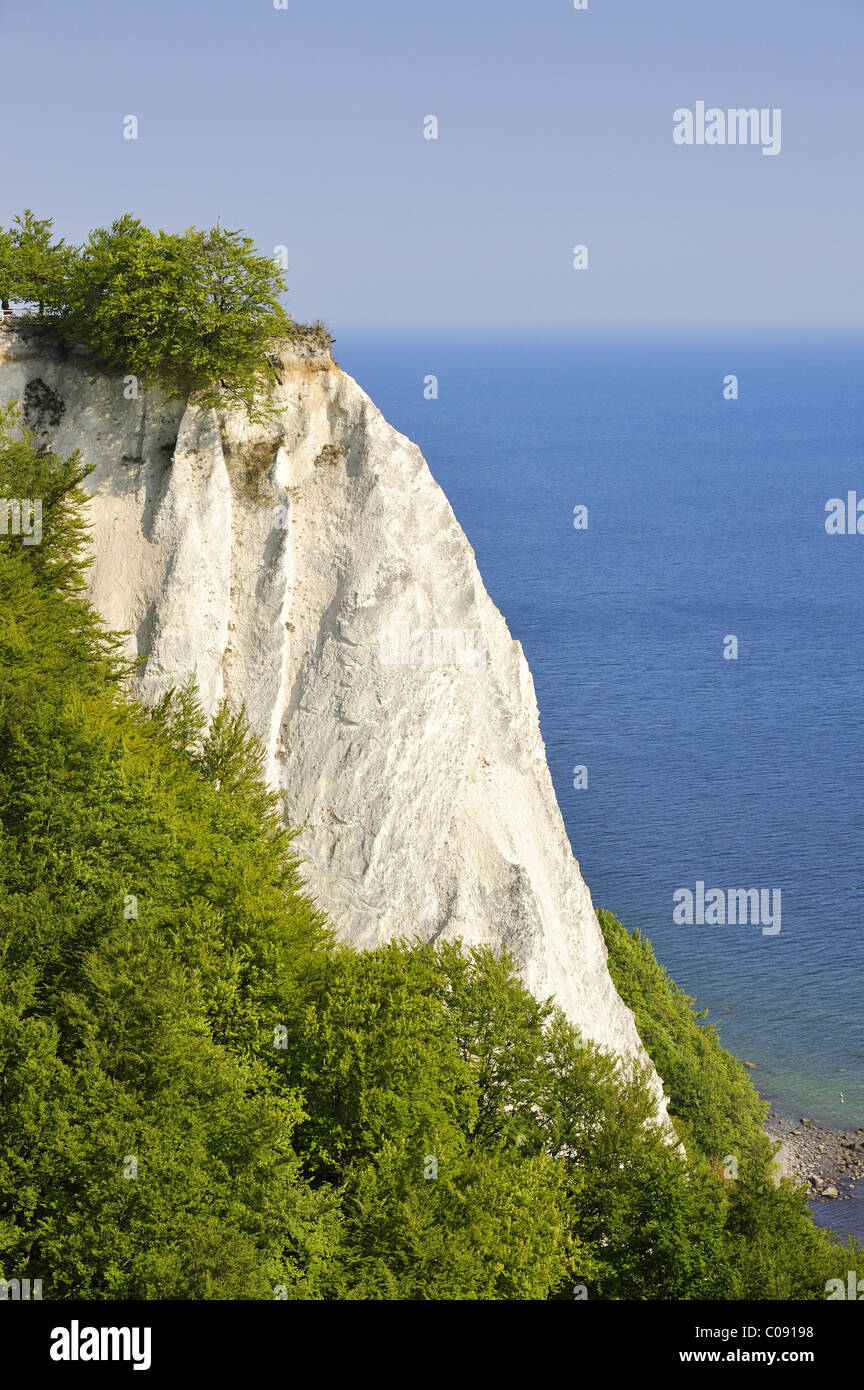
[{"x": 830, "y": 1163}]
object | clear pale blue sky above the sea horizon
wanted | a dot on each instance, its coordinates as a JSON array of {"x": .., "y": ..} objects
[{"x": 305, "y": 127}]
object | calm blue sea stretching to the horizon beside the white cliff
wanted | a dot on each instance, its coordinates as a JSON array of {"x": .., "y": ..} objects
[{"x": 706, "y": 521}]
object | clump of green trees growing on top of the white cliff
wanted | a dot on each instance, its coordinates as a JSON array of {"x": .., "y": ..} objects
[{"x": 197, "y": 312}]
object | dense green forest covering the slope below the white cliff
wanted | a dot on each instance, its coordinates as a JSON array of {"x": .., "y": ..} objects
[{"x": 205, "y": 1096}]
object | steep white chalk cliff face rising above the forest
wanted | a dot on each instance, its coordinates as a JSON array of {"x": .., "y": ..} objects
[{"x": 313, "y": 569}]
